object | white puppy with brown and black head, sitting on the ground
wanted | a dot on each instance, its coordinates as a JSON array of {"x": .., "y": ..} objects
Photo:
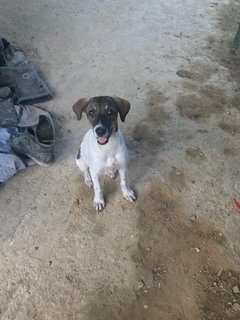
[{"x": 103, "y": 150}]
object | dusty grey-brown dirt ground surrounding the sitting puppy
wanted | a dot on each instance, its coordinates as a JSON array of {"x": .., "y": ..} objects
[{"x": 175, "y": 253}]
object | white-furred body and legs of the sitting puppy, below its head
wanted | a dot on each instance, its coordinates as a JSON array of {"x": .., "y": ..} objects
[{"x": 96, "y": 159}]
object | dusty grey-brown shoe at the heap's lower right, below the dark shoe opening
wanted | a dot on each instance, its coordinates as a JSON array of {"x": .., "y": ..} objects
[{"x": 27, "y": 144}]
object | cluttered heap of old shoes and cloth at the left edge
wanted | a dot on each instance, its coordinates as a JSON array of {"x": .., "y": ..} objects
[{"x": 26, "y": 131}]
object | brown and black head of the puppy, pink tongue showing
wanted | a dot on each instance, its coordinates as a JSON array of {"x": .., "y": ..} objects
[{"x": 102, "y": 113}]
